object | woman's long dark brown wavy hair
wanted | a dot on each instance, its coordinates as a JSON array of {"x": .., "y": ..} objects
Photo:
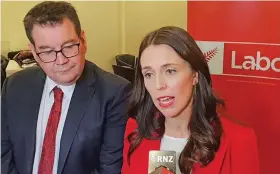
[{"x": 205, "y": 126}]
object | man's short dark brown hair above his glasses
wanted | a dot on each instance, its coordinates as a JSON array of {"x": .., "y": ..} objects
[{"x": 50, "y": 13}]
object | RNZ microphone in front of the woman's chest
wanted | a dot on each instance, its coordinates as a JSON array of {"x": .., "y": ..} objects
[{"x": 162, "y": 162}]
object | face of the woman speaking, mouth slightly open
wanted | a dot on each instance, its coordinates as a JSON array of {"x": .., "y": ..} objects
[{"x": 168, "y": 78}]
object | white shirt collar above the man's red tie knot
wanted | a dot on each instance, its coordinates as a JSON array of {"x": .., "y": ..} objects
[{"x": 67, "y": 90}]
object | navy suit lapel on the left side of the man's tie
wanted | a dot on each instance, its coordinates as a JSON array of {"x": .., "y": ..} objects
[{"x": 32, "y": 109}]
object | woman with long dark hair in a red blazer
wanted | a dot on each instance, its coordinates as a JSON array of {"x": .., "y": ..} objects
[{"x": 174, "y": 109}]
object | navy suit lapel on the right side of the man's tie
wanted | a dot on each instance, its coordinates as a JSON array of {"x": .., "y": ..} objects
[{"x": 82, "y": 94}]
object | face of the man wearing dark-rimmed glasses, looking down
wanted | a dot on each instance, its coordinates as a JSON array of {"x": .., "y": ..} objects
[{"x": 69, "y": 63}]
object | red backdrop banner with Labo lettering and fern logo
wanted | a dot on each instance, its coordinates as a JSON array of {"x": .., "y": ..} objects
[{"x": 246, "y": 32}]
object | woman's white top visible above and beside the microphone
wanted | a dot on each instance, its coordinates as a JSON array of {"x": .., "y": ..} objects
[{"x": 173, "y": 144}]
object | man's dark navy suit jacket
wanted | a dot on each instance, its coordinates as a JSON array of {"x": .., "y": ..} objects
[{"x": 92, "y": 138}]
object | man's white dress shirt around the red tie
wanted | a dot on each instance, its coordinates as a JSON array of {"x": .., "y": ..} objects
[{"x": 44, "y": 111}]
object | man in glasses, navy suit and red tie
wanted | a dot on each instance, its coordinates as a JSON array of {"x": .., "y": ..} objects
[{"x": 68, "y": 115}]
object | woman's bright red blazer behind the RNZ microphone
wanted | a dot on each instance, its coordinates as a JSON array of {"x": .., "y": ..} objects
[{"x": 238, "y": 152}]
